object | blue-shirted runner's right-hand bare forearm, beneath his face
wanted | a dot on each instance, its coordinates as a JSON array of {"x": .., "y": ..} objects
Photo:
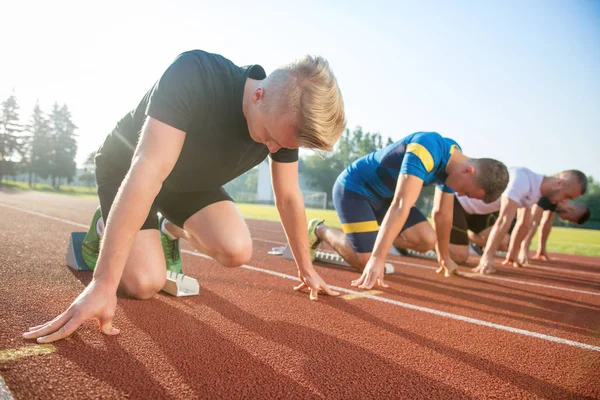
[{"x": 443, "y": 207}]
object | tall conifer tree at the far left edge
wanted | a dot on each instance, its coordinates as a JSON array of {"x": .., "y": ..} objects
[{"x": 9, "y": 138}]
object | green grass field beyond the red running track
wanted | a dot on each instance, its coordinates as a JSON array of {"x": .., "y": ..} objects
[{"x": 562, "y": 240}]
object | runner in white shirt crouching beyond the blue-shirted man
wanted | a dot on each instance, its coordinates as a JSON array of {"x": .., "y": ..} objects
[{"x": 525, "y": 188}]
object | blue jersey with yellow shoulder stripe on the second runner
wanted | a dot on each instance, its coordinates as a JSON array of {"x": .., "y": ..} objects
[{"x": 422, "y": 154}]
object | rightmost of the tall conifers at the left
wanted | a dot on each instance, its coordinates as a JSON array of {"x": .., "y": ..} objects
[{"x": 64, "y": 145}]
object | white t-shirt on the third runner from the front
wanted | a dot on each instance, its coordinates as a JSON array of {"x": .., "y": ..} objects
[{"x": 524, "y": 187}]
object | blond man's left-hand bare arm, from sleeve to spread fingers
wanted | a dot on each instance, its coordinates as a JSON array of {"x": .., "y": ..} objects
[{"x": 155, "y": 156}]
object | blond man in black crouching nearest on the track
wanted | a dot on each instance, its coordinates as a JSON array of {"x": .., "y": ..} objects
[{"x": 203, "y": 123}]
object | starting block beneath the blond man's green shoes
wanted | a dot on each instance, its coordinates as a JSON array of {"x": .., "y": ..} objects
[{"x": 177, "y": 285}]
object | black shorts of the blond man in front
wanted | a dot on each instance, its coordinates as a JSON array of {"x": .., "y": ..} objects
[{"x": 177, "y": 207}]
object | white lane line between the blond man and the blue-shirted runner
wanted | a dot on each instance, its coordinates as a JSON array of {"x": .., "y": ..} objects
[{"x": 426, "y": 309}]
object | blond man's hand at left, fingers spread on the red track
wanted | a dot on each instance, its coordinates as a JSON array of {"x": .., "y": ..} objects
[{"x": 95, "y": 302}]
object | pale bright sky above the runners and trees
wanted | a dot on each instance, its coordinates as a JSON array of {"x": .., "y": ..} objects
[{"x": 514, "y": 80}]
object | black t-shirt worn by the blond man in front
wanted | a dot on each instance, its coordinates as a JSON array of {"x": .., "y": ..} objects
[{"x": 200, "y": 94}]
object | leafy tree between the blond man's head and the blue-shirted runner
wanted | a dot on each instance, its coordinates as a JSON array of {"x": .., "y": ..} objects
[{"x": 321, "y": 172}]
